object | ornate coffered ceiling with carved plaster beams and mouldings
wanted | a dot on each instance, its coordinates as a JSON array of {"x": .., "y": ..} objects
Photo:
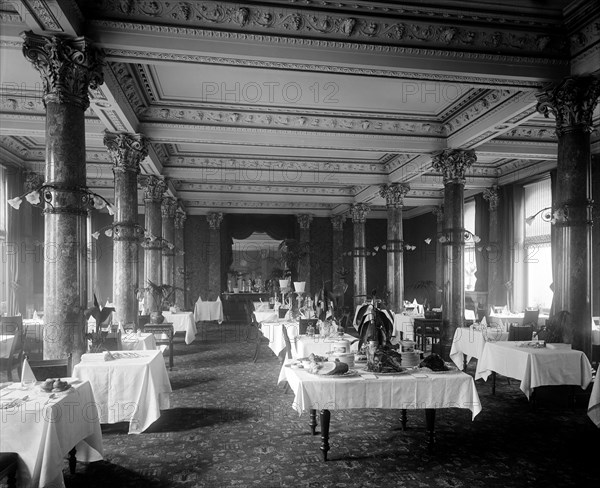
[{"x": 307, "y": 106}]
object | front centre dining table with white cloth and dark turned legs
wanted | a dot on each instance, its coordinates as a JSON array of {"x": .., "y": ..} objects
[{"x": 416, "y": 388}]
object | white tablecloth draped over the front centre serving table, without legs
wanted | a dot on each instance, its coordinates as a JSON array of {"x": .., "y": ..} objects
[{"x": 451, "y": 389}]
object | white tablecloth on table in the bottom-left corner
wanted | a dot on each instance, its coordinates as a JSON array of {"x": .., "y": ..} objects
[{"x": 42, "y": 432}]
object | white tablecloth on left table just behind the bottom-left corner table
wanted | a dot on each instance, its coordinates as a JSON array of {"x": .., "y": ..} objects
[{"x": 131, "y": 389}]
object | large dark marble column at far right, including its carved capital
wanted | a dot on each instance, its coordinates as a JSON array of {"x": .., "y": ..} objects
[{"x": 572, "y": 102}]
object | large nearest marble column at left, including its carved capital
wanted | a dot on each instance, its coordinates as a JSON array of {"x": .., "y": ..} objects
[{"x": 68, "y": 67}]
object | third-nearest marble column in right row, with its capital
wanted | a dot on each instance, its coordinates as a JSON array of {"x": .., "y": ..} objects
[{"x": 394, "y": 199}]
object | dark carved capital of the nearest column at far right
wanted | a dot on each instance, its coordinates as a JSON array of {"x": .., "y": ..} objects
[{"x": 572, "y": 102}]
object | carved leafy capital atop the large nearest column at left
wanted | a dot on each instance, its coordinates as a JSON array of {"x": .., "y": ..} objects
[{"x": 69, "y": 66}]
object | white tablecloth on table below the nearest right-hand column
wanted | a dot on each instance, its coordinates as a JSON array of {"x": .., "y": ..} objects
[{"x": 534, "y": 367}]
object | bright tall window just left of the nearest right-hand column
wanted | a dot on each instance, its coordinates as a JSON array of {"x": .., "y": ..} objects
[{"x": 538, "y": 252}]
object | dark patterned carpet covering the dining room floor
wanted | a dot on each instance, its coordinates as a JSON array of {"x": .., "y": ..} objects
[{"x": 230, "y": 425}]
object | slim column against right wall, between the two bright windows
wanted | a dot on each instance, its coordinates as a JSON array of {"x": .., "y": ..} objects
[{"x": 492, "y": 249}]
